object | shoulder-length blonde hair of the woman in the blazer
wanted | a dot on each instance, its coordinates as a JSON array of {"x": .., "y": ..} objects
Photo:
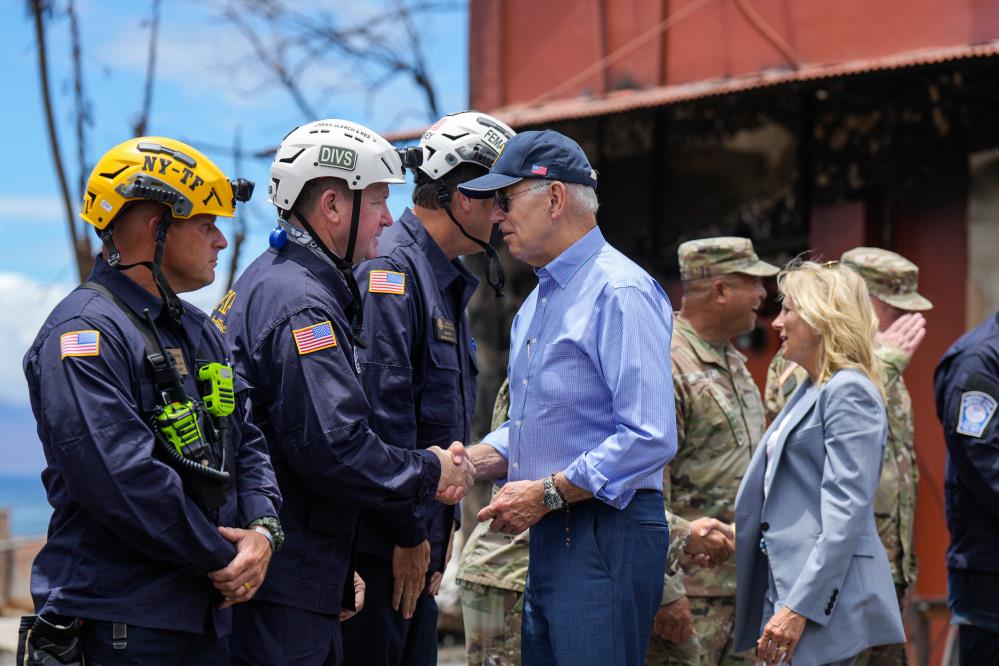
[{"x": 833, "y": 301}]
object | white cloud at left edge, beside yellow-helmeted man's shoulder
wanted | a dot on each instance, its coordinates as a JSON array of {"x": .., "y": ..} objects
[{"x": 28, "y": 302}]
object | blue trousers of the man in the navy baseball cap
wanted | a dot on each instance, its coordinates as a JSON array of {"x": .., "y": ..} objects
[{"x": 594, "y": 584}]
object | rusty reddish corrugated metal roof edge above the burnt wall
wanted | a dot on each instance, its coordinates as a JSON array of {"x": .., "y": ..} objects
[{"x": 525, "y": 115}]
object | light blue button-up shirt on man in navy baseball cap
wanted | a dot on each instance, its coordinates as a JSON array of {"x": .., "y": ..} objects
[{"x": 591, "y": 393}]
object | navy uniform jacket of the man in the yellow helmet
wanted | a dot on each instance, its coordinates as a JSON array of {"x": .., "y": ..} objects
[{"x": 125, "y": 543}]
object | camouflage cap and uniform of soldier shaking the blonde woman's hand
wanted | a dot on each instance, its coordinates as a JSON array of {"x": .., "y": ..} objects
[{"x": 720, "y": 420}]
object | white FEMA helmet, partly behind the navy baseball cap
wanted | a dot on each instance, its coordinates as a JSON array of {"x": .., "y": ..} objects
[{"x": 468, "y": 136}]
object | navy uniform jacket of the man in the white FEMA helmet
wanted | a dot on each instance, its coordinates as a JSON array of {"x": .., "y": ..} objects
[{"x": 419, "y": 370}]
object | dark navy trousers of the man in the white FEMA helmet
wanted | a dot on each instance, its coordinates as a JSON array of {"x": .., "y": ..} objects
[{"x": 378, "y": 635}]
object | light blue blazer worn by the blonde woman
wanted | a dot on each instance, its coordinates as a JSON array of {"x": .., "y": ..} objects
[{"x": 817, "y": 524}]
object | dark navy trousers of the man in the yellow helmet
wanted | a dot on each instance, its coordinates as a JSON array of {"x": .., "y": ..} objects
[{"x": 149, "y": 647}]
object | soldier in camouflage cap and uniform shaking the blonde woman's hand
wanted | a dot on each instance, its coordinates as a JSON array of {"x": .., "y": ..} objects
[{"x": 720, "y": 420}]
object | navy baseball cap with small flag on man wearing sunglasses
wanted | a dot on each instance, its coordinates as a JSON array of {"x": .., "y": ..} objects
[{"x": 545, "y": 154}]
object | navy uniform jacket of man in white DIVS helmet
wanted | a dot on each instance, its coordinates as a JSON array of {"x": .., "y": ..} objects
[{"x": 291, "y": 340}]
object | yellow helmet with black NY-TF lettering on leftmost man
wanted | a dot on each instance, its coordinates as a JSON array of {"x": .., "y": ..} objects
[{"x": 159, "y": 169}]
